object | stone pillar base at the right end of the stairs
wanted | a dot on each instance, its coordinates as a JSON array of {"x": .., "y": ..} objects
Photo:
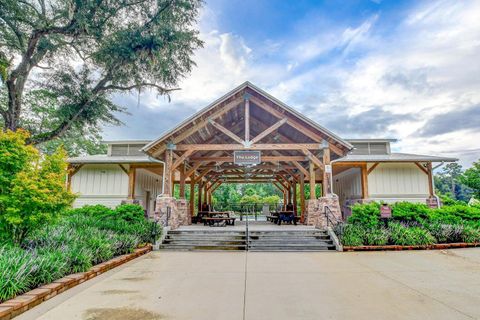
[{"x": 315, "y": 211}]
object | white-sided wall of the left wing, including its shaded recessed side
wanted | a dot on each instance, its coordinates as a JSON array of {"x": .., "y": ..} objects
[{"x": 107, "y": 184}]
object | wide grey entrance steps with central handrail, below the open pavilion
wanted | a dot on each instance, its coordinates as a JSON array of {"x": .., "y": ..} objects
[{"x": 278, "y": 240}]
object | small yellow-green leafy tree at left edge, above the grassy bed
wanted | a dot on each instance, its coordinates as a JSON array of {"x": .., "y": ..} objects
[{"x": 32, "y": 188}]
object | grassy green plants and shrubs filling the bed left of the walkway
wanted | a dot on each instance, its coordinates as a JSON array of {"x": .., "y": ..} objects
[{"x": 74, "y": 244}]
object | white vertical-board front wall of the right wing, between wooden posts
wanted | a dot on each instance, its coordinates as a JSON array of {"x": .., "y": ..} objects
[{"x": 397, "y": 182}]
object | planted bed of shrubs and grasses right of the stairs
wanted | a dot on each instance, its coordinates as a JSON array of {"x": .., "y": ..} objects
[{"x": 412, "y": 226}]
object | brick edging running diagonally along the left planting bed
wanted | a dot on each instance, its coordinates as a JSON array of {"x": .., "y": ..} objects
[{"x": 18, "y": 305}]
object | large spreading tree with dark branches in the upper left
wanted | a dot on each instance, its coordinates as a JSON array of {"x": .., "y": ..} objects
[{"x": 83, "y": 51}]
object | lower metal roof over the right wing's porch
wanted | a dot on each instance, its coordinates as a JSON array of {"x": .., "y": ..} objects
[{"x": 393, "y": 157}]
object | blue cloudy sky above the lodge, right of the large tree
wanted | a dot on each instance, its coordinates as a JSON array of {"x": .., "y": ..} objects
[{"x": 408, "y": 70}]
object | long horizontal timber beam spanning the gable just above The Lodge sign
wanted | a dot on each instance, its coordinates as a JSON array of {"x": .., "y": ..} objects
[{"x": 268, "y": 146}]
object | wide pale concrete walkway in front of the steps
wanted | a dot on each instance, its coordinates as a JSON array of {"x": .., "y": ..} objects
[{"x": 275, "y": 286}]
